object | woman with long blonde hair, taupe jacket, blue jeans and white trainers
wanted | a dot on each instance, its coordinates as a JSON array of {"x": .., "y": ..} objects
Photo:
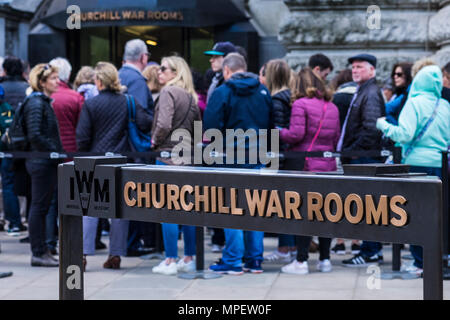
[{"x": 175, "y": 108}]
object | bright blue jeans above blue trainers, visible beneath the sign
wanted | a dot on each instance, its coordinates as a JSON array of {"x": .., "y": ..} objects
[{"x": 242, "y": 244}]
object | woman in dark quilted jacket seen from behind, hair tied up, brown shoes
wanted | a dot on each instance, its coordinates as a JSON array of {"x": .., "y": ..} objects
[{"x": 102, "y": 127}]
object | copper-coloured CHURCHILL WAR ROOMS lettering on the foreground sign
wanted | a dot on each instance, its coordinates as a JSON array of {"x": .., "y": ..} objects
[{"x": 263, "y": 204}]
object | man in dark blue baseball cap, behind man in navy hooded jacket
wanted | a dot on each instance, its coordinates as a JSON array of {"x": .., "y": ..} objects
[{"x": 217, "y": 54}]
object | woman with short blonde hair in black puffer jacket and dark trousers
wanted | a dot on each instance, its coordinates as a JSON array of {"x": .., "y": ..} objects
[{"x": 43, "y": 136}]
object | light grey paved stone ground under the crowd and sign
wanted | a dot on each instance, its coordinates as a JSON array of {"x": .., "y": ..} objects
[{"x": 136, "y": 281}]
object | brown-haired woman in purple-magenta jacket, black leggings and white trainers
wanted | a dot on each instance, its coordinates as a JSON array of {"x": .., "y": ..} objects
[{"x": 314, "y": 126}]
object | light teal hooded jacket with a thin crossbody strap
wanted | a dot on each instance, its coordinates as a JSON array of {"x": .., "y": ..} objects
[{"x": 425, "y": 91}]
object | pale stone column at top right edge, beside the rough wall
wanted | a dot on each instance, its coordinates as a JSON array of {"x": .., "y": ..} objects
[{"x": 439, "y": 32}]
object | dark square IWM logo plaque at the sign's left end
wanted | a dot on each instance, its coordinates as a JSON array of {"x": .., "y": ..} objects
[{"x": 88, "y": 186}]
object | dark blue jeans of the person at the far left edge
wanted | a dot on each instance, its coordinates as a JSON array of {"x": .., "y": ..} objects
[{"x": 10, "y": 201}]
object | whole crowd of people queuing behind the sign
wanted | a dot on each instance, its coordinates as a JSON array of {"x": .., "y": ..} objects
[{"x": 350, "y": 112}]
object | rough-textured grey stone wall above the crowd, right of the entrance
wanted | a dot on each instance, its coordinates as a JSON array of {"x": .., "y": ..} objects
[{"x": 342, "y": 28}]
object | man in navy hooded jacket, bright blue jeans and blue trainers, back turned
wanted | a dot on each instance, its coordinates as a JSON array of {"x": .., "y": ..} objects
[{"x": 242, "y": 102}]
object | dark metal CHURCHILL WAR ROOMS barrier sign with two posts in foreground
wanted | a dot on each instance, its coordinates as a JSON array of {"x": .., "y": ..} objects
[{"x": 387, "y": 209}]
